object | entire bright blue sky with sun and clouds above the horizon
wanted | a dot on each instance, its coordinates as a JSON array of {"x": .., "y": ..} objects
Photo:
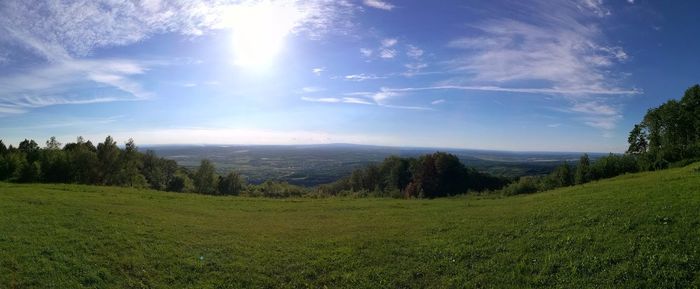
[{"x": 541, "y": 75}]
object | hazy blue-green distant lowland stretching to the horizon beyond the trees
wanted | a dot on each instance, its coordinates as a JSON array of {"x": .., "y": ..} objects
[{"x": 310, "y": 165}]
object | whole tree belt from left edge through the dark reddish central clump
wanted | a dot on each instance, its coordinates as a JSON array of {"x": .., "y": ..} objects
[{"x": 434, "y": 175}]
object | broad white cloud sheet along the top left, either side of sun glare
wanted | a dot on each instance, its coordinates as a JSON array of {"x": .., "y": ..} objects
[{"x": 76, "y": 28}]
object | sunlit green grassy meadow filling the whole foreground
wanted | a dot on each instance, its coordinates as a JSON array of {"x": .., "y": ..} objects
[{"x": 633, "y": 231}]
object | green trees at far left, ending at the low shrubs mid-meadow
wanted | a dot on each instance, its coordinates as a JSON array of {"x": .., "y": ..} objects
[{"x": 82, "y": 162}]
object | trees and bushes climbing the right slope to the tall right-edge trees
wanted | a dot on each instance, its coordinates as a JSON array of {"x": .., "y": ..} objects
[{"x": 667, "y": 136}]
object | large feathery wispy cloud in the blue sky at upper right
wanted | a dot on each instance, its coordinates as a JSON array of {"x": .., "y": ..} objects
[{"x": 558, "y": 46}]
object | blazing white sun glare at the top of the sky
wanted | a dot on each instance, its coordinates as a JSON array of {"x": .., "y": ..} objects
[{"x": 260, "y": 29}]
